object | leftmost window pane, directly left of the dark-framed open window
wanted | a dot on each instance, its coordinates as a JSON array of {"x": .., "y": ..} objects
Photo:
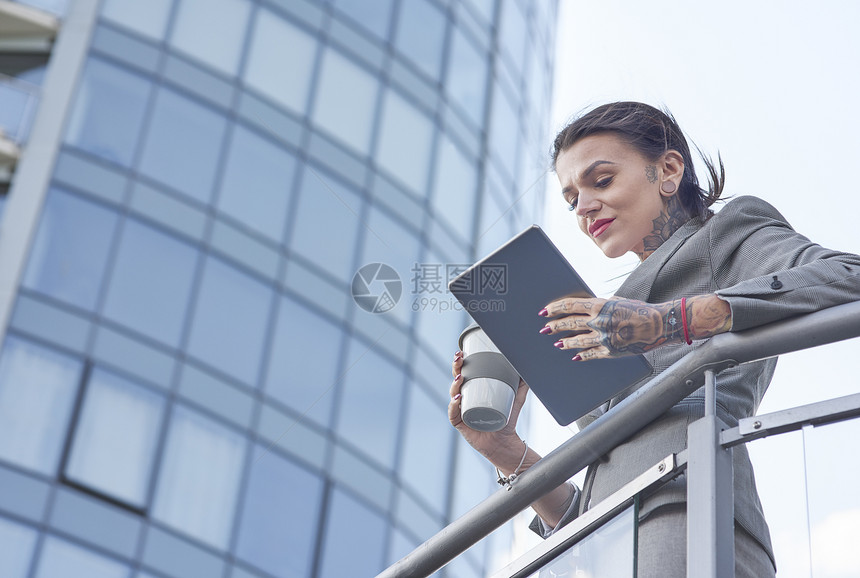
[{"x": 37, "y": 391}]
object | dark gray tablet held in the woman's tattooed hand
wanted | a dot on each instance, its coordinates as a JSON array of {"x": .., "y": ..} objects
[{"x": 504, "y": 292}]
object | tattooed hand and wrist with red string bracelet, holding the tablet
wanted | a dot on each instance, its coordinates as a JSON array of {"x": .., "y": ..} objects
[{"x": 601, "y": 328}]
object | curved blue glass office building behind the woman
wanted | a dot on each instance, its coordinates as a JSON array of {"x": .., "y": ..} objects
[{"x": 191, "y": 384}]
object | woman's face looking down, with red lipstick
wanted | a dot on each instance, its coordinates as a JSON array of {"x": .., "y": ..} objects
[{"x": 615, "y": 192}]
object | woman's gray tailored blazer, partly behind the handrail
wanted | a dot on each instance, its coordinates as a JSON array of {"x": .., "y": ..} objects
[{"x": 735, "y": 254}]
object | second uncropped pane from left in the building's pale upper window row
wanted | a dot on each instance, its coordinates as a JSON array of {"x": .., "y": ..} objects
[{"x": 345, "y": 101}]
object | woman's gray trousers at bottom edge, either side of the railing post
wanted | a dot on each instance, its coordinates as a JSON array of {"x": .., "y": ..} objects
[{"x": 662, "y": 551}]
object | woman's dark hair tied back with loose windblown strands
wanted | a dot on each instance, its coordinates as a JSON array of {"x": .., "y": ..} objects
[{"x": 652, "y": 132}]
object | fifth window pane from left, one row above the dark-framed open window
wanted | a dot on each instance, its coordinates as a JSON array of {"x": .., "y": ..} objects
[{"x": 370, "y": 403}]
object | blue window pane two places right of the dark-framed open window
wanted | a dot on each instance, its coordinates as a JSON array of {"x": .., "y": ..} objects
[{"x": 279, "y": 494}]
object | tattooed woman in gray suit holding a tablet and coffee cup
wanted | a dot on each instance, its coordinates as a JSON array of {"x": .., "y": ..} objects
[{"x": 626, "y": 170}]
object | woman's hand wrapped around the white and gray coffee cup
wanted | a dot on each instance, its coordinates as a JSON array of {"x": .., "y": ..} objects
[{"x": 503, "y": 448}]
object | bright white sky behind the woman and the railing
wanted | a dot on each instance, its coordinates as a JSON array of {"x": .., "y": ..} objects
[{"x": 772, "y": 88}]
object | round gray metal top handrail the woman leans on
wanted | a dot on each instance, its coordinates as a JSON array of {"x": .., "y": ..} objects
[{"x": 622, "y": 421}]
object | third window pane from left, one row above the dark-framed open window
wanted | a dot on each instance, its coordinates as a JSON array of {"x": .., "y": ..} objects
[{"x": 230, "y": 321}]
